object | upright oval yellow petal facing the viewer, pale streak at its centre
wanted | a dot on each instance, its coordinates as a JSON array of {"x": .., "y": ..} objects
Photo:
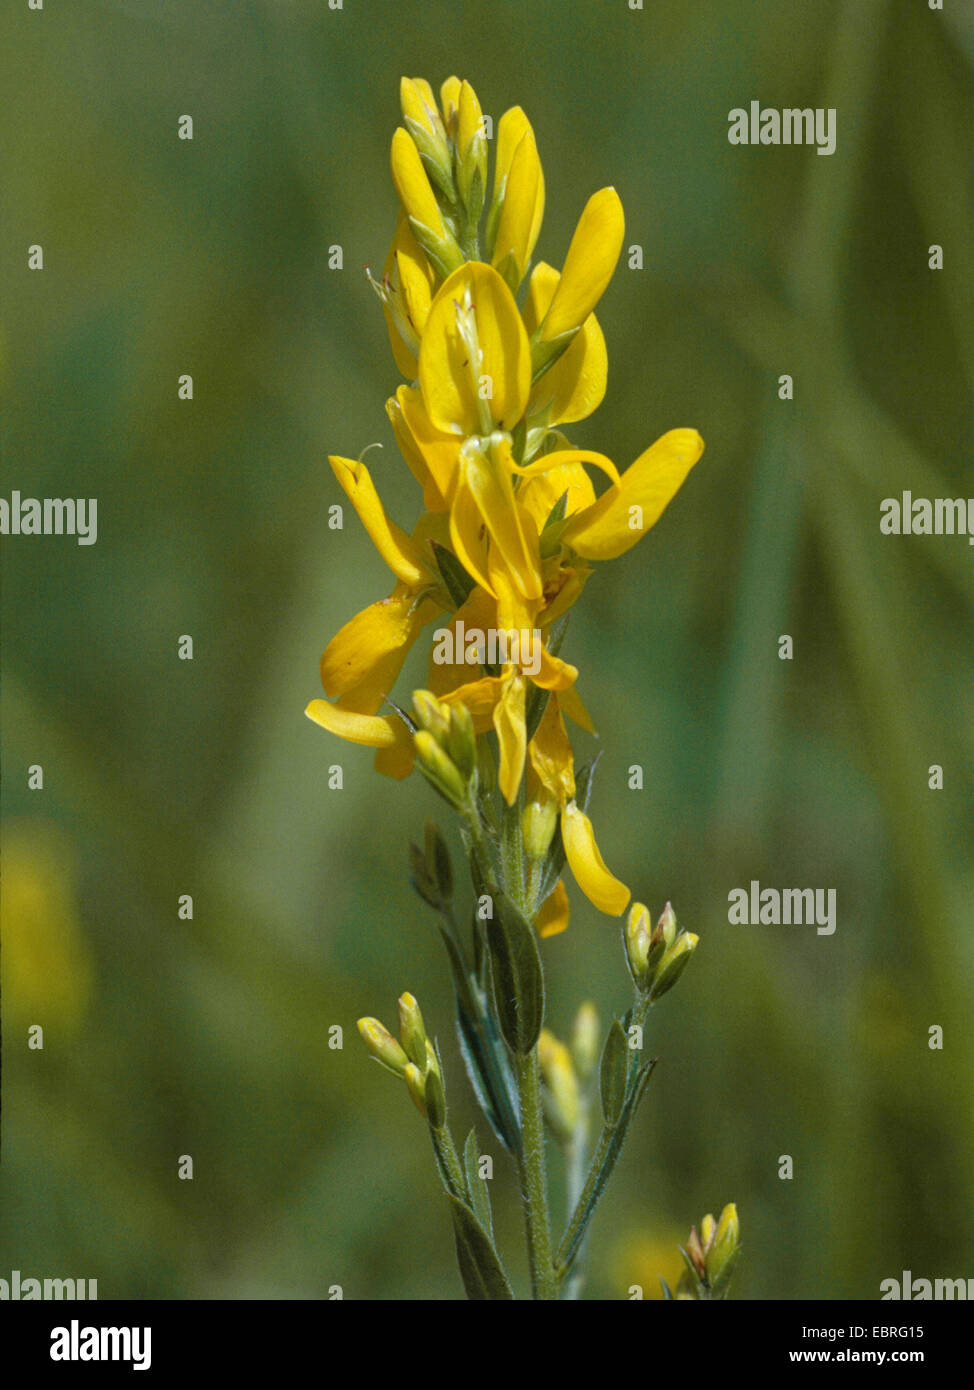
[{"x": 462, "y": 394}]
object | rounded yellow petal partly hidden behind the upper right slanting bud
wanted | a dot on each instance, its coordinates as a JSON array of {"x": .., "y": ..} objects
[{"x": 576, "y": 386}]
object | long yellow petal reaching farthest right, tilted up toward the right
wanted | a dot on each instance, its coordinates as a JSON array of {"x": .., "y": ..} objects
[{"x": 629, "y": 509}]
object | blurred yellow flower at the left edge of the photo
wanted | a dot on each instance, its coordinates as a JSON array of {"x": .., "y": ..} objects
[{"x": 48, "y": 971}]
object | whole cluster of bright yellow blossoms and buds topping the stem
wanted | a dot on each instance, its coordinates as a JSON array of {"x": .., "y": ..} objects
[{"x": 512, "y": 523}]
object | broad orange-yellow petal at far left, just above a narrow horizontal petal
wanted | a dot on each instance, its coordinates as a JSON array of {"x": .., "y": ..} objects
[{"x": 362, "y": 662}]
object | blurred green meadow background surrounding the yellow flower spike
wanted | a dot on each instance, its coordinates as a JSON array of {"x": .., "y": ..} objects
[{"x": 162, "y": 778}]
